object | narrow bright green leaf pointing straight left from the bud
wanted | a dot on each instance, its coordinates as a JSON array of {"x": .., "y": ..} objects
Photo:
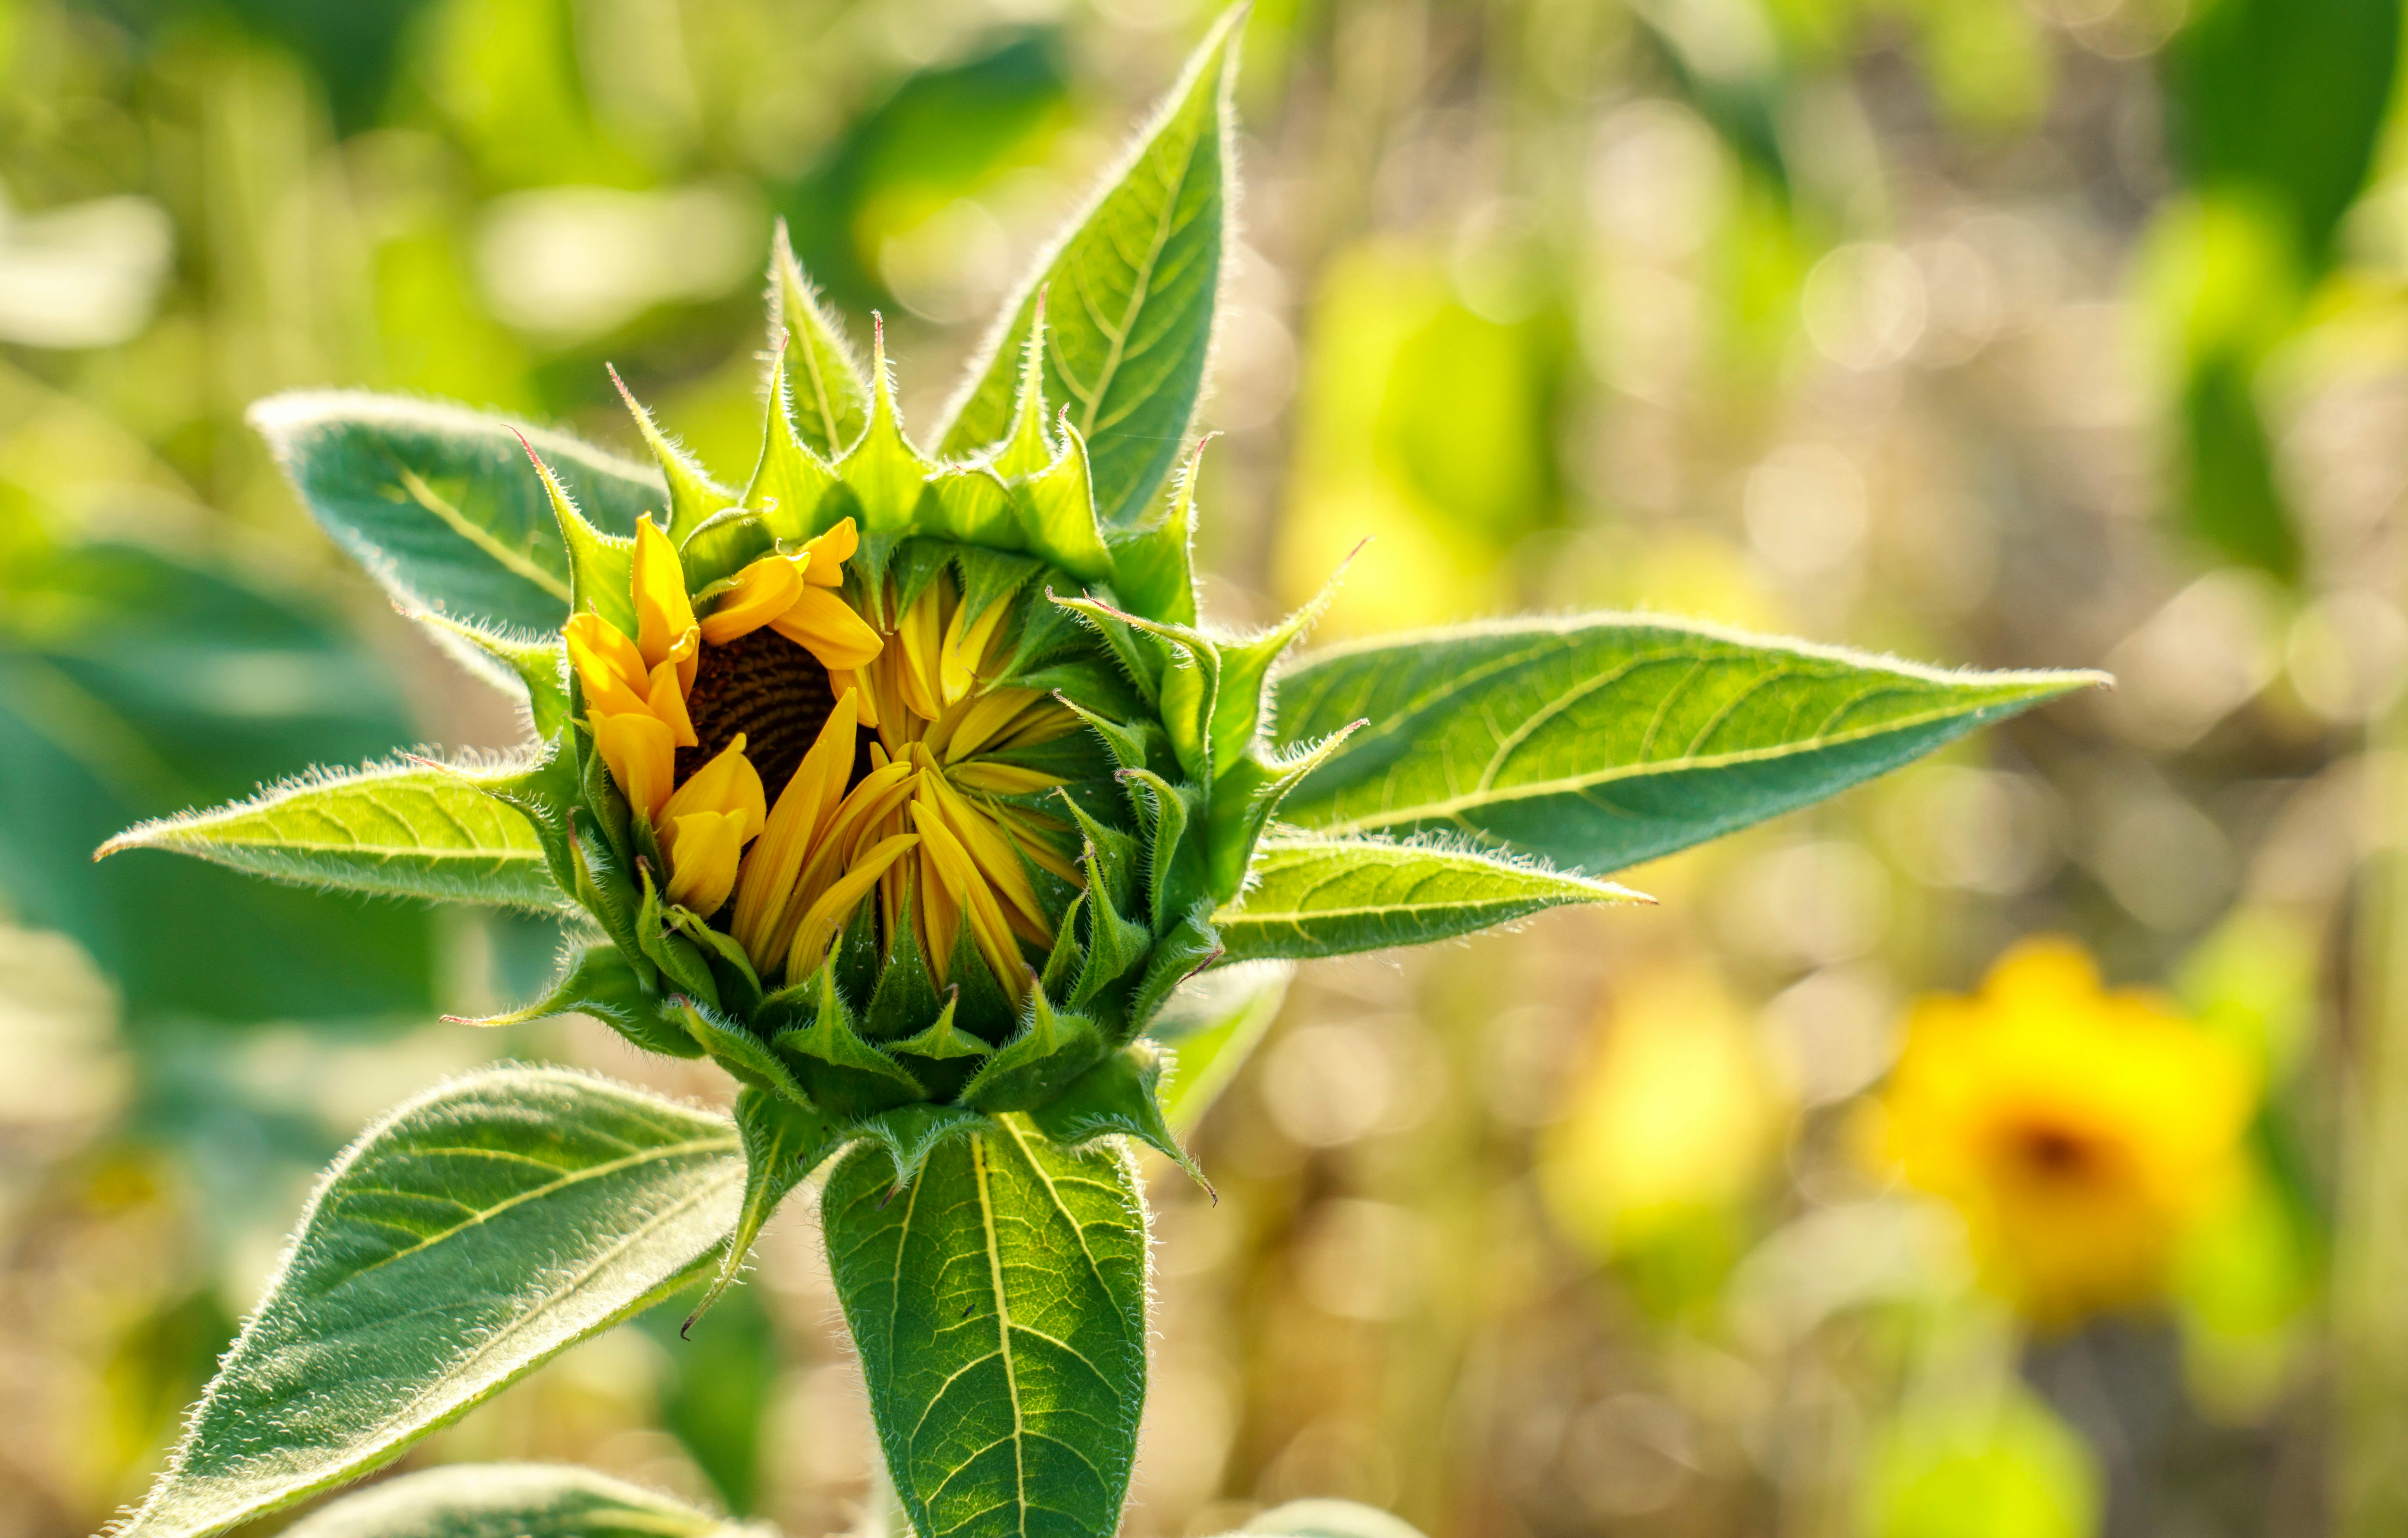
[{"x": 394, "y": 829}]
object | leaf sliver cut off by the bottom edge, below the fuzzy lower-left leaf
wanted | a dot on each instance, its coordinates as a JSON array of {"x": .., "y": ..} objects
[{"x": 509, "y": 1501}]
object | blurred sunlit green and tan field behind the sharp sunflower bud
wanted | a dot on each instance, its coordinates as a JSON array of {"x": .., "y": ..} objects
[{"x": 2009, "y": 333}]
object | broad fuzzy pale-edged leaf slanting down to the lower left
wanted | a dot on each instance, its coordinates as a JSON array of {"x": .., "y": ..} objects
[{"x": 459, "y": 1243}]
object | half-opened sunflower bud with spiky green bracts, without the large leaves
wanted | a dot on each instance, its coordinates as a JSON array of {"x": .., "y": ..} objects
[{"x": 904, "y": 781}]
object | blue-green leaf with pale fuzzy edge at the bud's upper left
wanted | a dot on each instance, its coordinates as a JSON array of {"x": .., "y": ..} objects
[{"x": 439, "y": 504}]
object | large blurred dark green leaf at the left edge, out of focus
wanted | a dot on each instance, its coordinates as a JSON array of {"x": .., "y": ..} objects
[{"x": 136, "y": 685}]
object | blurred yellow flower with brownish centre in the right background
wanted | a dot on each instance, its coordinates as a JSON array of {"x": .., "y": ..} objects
[{"x": 2079, "y": 1132}]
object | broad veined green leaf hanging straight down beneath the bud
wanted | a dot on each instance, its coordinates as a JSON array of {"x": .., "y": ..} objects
[{"x": 1001, "y": 1311}]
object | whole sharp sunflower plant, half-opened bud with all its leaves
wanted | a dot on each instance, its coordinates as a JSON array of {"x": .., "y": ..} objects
[{"x": 972, "y": 1082}]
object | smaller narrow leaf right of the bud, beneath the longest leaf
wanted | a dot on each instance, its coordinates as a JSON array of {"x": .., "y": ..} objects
[{"x": 1335, "y": 897}]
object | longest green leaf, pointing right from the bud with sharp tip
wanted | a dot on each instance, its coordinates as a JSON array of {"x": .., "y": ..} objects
[{"x": 1603, "y": 743}]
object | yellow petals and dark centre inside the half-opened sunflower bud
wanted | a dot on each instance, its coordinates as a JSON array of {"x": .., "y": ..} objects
[{"x": 791, "y": 757}]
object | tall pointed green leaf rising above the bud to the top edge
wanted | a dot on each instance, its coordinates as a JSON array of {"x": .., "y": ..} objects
[{"x": 1128, "y": 300}]
